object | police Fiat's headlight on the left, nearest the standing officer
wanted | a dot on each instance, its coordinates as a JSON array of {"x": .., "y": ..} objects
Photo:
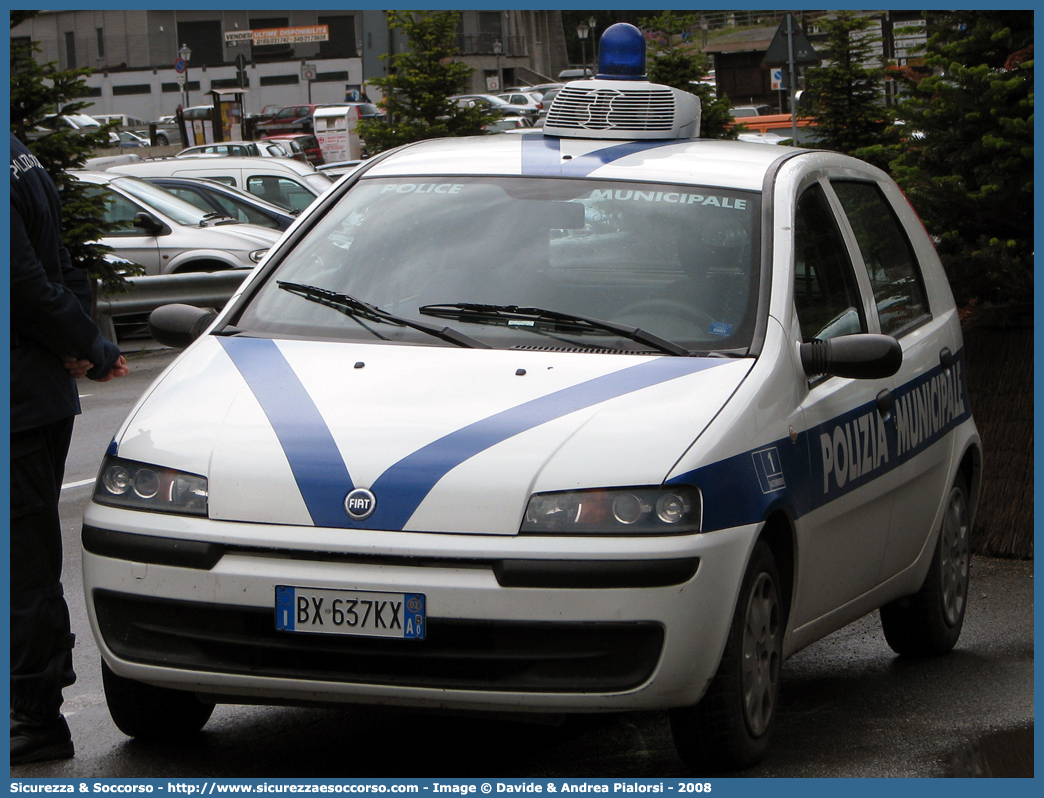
[{"x": 125, "y": 483}]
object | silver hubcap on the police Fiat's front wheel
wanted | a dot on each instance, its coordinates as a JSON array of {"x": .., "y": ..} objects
[{"x": 762, "y": 654}]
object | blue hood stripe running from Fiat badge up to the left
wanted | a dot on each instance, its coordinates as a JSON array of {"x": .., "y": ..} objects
[{"x": 315, "y": 459}]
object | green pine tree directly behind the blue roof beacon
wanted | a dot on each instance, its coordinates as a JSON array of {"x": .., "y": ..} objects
[{"x": 683, "y": 68}]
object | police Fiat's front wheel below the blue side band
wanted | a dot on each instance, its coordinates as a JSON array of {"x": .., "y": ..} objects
[{"x": 731, "y": 726}]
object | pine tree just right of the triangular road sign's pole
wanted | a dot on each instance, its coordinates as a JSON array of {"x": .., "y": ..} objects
[{"x": 846, "y": 96}]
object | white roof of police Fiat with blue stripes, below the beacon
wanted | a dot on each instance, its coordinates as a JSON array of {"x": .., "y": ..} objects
[{"x": 706, "y": 162}]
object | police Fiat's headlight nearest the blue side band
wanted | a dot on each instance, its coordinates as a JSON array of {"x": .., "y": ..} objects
[{"x": 666, "y": 510}]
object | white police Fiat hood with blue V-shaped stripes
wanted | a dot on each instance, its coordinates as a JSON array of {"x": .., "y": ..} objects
[{"x": 447, "y": 440}]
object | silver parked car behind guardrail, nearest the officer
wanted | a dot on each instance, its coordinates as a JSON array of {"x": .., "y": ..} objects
[{"x": 168, "y": 236}]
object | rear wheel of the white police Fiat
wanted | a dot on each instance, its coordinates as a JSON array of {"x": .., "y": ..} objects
[{"x": 929, "y": 623}]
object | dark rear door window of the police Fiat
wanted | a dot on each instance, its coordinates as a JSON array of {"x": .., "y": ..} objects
[{"x": 894, "y": 272}]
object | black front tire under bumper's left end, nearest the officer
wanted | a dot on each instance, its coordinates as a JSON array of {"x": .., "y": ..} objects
[{"x": 149, "y": 713}]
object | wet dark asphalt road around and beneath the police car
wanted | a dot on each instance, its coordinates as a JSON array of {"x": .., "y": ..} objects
[{"x": 849, "y": 707}]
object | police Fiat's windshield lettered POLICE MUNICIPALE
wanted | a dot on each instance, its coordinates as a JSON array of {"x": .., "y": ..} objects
[{"x": 679, "y": 263}]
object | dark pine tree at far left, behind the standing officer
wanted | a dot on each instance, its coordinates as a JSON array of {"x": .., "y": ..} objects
[{"x": 40, "y": 93}]
